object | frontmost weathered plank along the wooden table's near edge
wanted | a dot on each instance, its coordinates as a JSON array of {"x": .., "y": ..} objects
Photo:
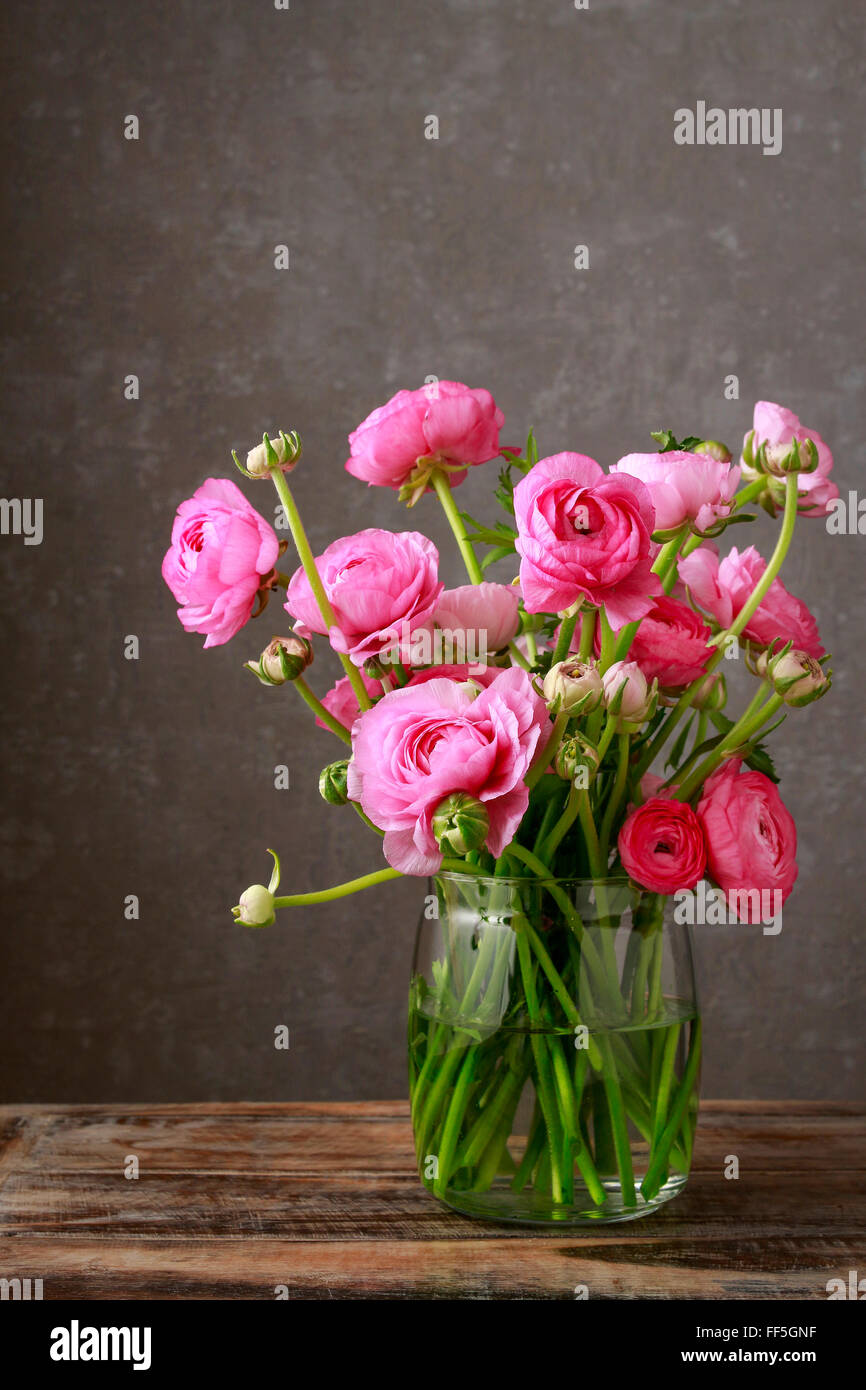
[{"x": 515, "y": 1268}]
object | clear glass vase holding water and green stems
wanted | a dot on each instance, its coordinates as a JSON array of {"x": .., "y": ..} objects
[{"x": 554, "y": 1049}]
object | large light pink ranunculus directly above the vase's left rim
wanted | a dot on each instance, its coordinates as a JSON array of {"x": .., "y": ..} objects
[{"x": 423, "y": 743}]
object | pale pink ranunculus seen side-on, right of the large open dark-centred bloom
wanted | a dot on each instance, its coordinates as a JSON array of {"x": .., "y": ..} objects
[{"x": 685, "y": 487}]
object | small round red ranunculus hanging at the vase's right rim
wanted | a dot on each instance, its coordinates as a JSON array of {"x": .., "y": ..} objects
[{"x": 662, "y": 846}]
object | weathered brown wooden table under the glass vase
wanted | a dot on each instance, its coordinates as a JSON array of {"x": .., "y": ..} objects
[{"x": 233, "y": 1202}]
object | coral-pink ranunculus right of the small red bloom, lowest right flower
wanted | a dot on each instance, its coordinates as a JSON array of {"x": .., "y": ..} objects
[{"x": 751, "y": 840}]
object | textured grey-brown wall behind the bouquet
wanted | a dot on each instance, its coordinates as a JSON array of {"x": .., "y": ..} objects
[{"x": 409, "y": 258}]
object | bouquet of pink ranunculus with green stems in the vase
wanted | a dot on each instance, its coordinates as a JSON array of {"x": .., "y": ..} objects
[{"x": 508, "y": 733}]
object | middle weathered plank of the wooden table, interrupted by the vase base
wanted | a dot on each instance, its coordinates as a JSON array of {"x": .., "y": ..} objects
[{"x": 309, "y": 1209}]
